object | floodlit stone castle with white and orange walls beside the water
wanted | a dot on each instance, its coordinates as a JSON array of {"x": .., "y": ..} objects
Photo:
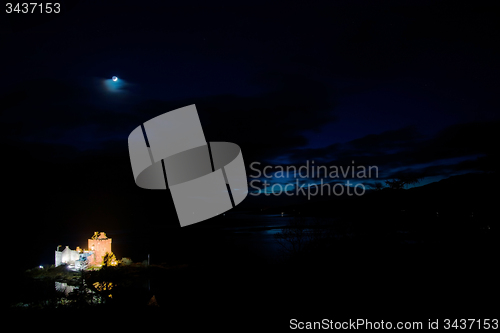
[{"x": 99, "y": 245}]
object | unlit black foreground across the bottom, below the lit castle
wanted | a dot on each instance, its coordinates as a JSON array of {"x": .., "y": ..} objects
[{"x": 342, "y": 279}]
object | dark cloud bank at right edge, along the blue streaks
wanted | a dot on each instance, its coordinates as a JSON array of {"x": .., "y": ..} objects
[{"x": 458, "y": 148}]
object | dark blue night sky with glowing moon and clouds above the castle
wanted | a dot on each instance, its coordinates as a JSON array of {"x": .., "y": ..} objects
[{"x": 411, "y": 87}]
